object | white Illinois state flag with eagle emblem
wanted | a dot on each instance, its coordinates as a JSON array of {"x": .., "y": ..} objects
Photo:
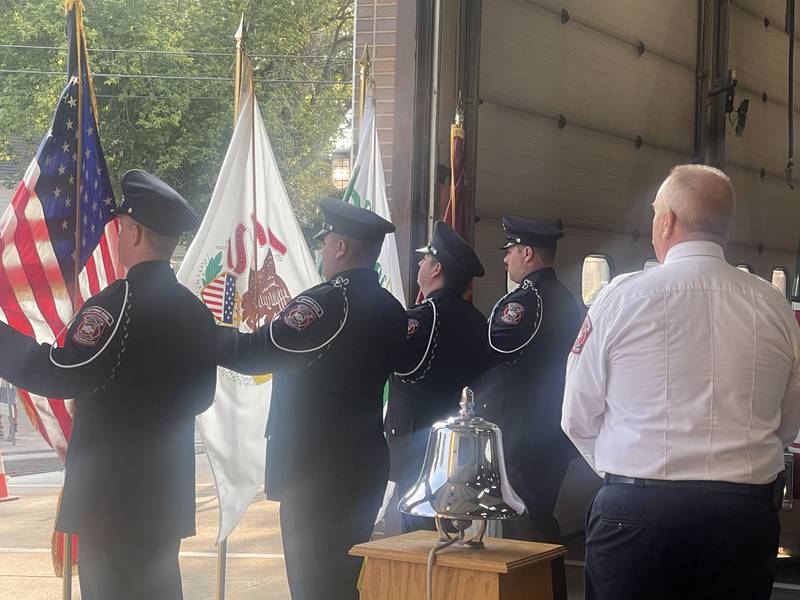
[{"x": 246, "y": 262}]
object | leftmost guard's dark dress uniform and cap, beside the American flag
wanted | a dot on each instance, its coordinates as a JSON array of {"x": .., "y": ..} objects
[{"x": 138, "y": 360}]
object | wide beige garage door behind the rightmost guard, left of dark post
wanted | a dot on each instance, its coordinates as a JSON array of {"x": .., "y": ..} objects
[{"x": 584, "y": 112}]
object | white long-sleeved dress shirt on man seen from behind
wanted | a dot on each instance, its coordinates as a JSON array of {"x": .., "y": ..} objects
[{"x": 686, "y": 371}]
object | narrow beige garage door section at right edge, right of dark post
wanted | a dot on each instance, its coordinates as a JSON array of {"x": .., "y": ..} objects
[{"x": 765, "y": 229}]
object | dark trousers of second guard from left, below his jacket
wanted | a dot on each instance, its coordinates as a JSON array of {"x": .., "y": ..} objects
[{"x": 319, "y": 526}]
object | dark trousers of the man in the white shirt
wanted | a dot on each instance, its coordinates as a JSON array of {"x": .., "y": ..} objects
[{"x": 665, "y": 543}]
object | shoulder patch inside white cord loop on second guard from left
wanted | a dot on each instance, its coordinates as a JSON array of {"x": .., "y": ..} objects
[{"x": 312, "y": 320}]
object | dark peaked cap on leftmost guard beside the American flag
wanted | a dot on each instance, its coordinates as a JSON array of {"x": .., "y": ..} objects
[{"x": 156, "y": 205}]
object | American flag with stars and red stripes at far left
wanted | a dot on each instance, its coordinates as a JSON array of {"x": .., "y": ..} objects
[{"x": 66, "y": 187}]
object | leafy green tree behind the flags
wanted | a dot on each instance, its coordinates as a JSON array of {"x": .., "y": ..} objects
[{"x": 179, "y": 128}]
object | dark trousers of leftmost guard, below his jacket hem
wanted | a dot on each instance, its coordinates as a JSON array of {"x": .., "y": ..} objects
[{"x": 129, "y": 569}]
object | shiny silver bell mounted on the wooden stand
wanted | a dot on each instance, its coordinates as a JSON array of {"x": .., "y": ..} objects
[{"x": 464, "y": 476}]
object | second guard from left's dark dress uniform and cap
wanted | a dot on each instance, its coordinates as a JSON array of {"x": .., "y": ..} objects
[{"x": 331, "y": 350}]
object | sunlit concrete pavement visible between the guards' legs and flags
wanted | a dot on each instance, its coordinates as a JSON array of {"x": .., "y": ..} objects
[{"x": 255, "y": 562}]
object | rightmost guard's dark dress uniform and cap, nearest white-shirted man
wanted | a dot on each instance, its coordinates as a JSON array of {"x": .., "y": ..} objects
[{"x": 531, "y": 331}]
